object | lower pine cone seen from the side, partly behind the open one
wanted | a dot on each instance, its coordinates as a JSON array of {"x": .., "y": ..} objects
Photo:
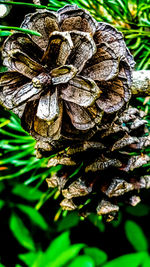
[{"x": 107, "y": 166}]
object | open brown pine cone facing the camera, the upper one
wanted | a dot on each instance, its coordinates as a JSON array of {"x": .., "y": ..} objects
[{"x": 61, "y": 84}]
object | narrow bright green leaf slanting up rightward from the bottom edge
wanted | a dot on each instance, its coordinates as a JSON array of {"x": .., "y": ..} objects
[{"x": 65, "y": 256}]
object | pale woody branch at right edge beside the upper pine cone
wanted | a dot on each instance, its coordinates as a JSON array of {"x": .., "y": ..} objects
[{"x": 141, "y": 83}]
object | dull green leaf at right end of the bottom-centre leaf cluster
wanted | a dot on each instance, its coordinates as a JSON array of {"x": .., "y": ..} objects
[{"x": 96, "y": 254}]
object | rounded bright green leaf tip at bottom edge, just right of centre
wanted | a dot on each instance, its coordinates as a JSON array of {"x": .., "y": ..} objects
[{"x": 82, "y": 261}]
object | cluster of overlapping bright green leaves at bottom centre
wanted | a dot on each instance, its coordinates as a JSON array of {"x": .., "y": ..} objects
[{"x": 61, "y": 253}]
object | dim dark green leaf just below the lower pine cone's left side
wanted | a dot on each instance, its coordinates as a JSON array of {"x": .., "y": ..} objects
[{"x": 70, "y": 220}]
